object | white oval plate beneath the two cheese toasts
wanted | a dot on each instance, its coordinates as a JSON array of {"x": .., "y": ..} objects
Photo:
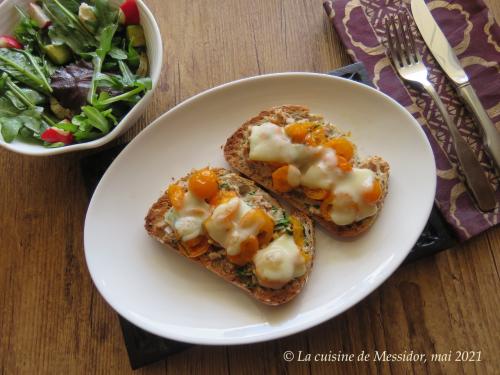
[{"x": 166, "y": 294}]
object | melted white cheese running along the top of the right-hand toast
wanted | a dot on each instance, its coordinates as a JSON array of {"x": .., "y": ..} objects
[{"x": 315, "y": 168}]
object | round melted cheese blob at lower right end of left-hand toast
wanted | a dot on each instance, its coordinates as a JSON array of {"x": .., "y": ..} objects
[{"x": 278, "y": 263}]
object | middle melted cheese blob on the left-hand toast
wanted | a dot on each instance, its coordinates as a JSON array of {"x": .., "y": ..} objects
[{"x": 223, "y": 226}]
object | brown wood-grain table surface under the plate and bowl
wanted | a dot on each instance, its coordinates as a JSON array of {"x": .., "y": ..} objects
[{"x": 53, "y": 320}]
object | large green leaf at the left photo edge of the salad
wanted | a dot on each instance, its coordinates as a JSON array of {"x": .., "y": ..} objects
[{"x": 24, "y": 67}]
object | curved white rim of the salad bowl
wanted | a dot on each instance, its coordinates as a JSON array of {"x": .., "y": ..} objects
[{"x": 156, "y": 43}]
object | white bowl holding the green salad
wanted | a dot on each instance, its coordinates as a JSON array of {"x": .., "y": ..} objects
[{"x": 8, "y": 20}]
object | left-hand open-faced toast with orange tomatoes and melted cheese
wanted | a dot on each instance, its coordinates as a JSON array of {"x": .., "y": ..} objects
[{"x": 230, "y": 226}]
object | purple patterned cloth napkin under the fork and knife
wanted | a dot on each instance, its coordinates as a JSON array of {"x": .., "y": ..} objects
[{"x": 475, "y": 36}]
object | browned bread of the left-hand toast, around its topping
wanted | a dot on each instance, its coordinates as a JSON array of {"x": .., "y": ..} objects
[{"x": 215, "y": 259}]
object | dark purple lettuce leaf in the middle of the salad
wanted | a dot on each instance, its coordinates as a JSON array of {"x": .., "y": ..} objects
[{"x": 71, "y": 85}]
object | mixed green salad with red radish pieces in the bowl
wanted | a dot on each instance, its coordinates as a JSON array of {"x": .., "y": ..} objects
[{"x": 71, "y": 71}]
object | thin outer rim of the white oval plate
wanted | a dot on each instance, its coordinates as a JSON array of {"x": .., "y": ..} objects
[{"x": 304, "y": 324}]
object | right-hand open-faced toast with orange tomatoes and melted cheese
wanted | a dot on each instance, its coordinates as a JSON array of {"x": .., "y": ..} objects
[{"x": 313, "y": 165}]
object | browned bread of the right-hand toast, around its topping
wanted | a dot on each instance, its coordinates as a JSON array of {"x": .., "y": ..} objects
[{"x": 237, "y": 148}]
